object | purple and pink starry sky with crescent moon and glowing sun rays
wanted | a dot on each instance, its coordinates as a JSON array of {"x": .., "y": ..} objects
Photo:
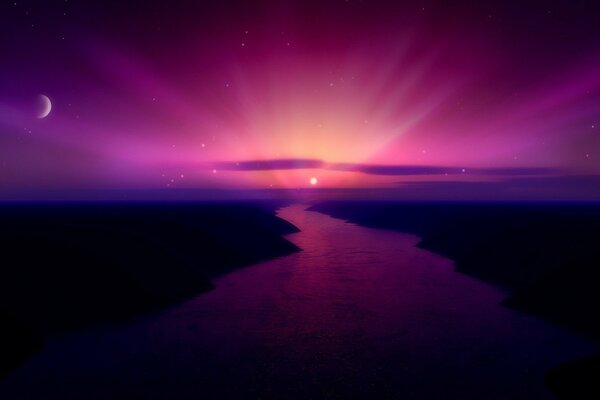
[{"x": 252, "y": 95}]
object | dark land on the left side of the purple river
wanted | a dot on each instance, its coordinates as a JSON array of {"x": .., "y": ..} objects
[{"x": 65, "y": 266}]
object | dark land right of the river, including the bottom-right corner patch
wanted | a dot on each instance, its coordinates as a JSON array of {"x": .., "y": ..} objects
[{"x": 546, "y": 255}]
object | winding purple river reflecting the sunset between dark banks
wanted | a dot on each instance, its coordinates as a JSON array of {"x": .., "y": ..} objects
[{"x": 359, "y": 313}]
